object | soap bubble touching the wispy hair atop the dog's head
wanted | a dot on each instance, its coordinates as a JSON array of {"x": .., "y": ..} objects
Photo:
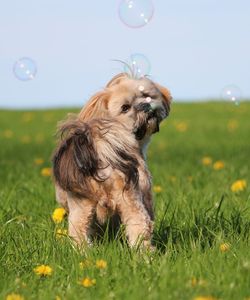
[{"x": 138, "y": 65}]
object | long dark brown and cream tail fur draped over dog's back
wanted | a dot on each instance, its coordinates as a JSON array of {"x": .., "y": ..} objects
[{"x": 87, "y": 149}]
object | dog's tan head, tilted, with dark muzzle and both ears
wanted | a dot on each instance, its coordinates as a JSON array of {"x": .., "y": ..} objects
[{"x": 139, "y": 104}]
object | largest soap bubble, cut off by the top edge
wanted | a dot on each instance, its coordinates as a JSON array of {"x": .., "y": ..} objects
[{"x": 136, "y": 13}]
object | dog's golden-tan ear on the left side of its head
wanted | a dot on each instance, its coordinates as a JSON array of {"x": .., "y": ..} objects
[{"x": 96, "y": 107}]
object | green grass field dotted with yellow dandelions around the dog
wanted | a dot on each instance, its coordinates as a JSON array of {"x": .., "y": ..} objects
[{"x": 202, "y": 228}]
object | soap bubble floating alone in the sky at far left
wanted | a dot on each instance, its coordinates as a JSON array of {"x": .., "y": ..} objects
[{"x": 25, "y": 69}]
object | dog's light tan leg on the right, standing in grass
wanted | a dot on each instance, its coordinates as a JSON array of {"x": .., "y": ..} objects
[{"x": 136, "y": 219}]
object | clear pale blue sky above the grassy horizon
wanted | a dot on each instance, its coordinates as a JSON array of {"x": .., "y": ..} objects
[{"x": 195, "y": 47}]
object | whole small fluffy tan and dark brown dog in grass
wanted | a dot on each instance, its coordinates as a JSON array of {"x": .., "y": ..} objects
[{"x": 99, "y": 165}]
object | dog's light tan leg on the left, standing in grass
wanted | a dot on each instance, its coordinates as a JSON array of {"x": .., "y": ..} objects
[{"x": 81, "y": 213}]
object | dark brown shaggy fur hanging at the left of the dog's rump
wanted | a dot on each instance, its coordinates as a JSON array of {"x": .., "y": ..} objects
[{"x": 75, "y": 159}]
